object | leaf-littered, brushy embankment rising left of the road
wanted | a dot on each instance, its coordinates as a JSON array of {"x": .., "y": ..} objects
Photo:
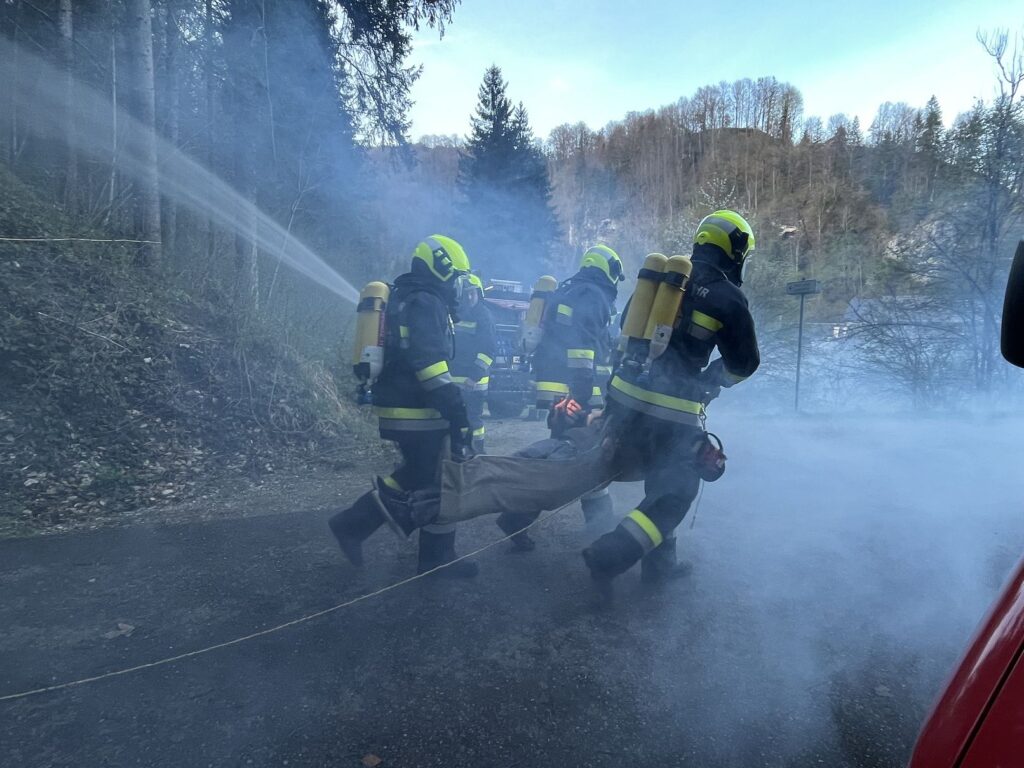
[{"x": 123, "y": 394}]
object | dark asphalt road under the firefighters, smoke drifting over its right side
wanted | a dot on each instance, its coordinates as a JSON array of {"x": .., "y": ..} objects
[{"x": 837, "y": 573}]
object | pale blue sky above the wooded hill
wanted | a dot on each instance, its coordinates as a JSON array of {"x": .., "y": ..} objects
[{"x": 595, "y": 61}]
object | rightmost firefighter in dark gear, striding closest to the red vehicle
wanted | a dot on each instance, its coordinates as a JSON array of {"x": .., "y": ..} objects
[{"x": 656, "y": 411}]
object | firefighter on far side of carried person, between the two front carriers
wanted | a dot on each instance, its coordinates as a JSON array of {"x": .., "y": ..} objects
[{"x": 575, "y": 346}]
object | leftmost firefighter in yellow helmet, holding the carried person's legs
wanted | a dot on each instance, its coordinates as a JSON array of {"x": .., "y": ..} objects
[{"x": 418, "y": 405}]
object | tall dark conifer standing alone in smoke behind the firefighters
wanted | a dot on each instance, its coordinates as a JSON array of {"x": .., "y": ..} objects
[{"x": 506, "y": 222}]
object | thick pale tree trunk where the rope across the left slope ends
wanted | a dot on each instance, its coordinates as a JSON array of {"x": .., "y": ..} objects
[{"x": 148, "y": 195}]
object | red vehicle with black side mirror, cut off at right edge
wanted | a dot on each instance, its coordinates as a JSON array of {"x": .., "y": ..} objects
[{"x": 978, "y": 721}]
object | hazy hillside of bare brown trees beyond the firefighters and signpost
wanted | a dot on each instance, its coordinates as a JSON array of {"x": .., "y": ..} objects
[{"x": 910, "y": 223}]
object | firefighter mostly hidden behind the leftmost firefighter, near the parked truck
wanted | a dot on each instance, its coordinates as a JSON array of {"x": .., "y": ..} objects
[{"x": 475, "y": 353}]
